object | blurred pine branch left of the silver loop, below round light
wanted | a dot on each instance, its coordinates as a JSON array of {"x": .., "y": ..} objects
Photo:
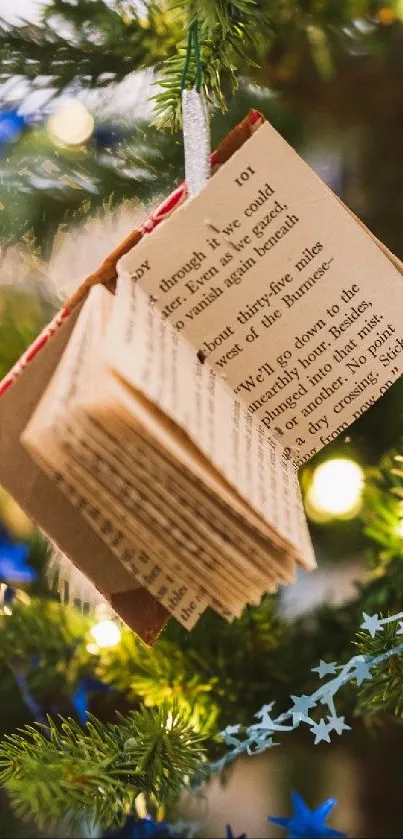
[{"x": 44, "y": 187}]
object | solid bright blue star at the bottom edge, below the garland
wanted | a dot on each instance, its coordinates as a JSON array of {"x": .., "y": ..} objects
[{"x": 308, "y": 824}]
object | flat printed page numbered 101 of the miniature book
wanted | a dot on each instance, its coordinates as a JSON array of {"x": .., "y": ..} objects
[{"x": 284, "y": 293}]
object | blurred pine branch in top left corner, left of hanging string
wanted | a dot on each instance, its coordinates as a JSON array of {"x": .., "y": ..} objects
[{"x": 88, "y": 41}]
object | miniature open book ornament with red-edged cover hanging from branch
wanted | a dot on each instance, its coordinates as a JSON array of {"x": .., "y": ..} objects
[{"x": 155, "y": 429}]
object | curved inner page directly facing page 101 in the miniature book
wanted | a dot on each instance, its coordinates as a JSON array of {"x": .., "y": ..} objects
[{"x": 147, "y": 352}]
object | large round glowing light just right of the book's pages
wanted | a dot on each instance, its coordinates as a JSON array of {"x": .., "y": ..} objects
[{"x": 336, "y": 488}]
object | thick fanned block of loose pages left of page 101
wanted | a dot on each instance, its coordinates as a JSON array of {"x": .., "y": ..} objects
[{"x": 191, "y": 494}]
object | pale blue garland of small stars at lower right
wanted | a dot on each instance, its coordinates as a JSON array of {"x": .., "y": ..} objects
[{"x": 258, "y": 737}]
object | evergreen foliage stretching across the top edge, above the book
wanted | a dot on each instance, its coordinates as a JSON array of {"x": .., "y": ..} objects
[{"x": 96, "y": 43}]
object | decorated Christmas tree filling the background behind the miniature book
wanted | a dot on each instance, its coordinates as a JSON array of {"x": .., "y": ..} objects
[{"x": 99, "y": 731}]
